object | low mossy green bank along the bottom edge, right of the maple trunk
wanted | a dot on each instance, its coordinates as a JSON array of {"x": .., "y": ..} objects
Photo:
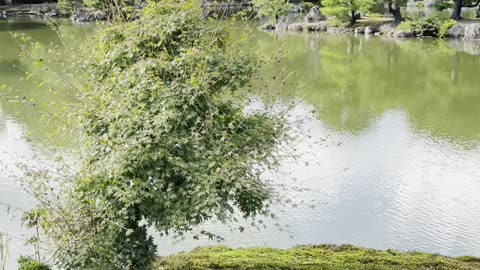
[{"x": 309, "y": 258}]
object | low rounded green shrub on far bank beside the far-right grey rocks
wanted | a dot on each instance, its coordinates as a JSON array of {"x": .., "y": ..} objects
[{"x": 430, "y": 26}]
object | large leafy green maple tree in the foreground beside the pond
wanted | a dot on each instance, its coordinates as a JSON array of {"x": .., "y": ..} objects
[{"x": 165, "y": 145}]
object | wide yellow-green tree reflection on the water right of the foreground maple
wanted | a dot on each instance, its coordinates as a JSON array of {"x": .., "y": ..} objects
[{"x": 436, "y": 87}]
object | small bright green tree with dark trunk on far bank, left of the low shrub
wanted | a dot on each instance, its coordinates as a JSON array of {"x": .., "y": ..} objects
[{"x": 345, "y": 10}]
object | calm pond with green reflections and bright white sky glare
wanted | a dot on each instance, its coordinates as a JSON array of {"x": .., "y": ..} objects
[{"x": 398, "y": 165}]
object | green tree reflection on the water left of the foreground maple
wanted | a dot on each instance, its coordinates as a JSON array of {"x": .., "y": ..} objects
[{"x": 13, "y": 68}]
